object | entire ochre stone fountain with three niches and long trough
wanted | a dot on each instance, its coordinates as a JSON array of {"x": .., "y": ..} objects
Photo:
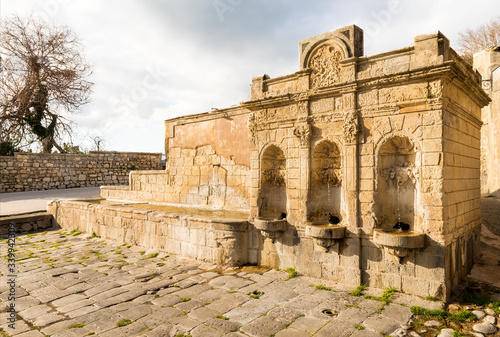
[{"x": 316, "y": 169}]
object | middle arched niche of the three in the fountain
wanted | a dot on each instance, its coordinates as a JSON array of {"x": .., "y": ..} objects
[{"x": 325, "y": 195}]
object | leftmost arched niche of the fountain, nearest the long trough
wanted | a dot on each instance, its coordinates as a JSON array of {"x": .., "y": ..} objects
[{"x": 272, "y": 195}]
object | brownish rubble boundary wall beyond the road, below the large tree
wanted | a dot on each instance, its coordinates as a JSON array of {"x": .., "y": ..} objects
[{"x": 40, "y": 171}]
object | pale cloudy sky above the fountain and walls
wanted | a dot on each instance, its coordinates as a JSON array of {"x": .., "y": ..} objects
[{"x": 155, "y": 60}]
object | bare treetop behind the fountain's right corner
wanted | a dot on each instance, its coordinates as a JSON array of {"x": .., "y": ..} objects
[{"x": 472, "y": 41}]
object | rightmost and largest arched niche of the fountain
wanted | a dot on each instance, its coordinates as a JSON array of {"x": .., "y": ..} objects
[{"x": 397, "y": 184}]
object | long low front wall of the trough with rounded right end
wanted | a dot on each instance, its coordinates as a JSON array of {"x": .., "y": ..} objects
[{"x": 214, "y": 240}]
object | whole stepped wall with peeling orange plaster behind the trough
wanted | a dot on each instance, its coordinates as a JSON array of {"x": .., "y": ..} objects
[{"x": 207, "y": 166}]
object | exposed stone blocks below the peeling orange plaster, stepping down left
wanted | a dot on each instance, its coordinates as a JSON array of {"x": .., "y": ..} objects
[{"x": 195, "y": 177}]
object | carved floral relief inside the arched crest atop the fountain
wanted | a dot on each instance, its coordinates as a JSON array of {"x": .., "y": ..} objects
[{"x": 325, "y": 66}]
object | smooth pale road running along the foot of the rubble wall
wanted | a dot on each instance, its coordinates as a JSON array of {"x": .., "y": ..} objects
[{"x": 25, "y": 202}]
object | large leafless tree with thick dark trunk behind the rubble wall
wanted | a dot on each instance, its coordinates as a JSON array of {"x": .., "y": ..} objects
[{"x": 43, "y": 77}]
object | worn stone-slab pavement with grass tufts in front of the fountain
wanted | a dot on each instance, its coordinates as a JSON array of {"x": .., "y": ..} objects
[{"x": 70, "y": 284}]
